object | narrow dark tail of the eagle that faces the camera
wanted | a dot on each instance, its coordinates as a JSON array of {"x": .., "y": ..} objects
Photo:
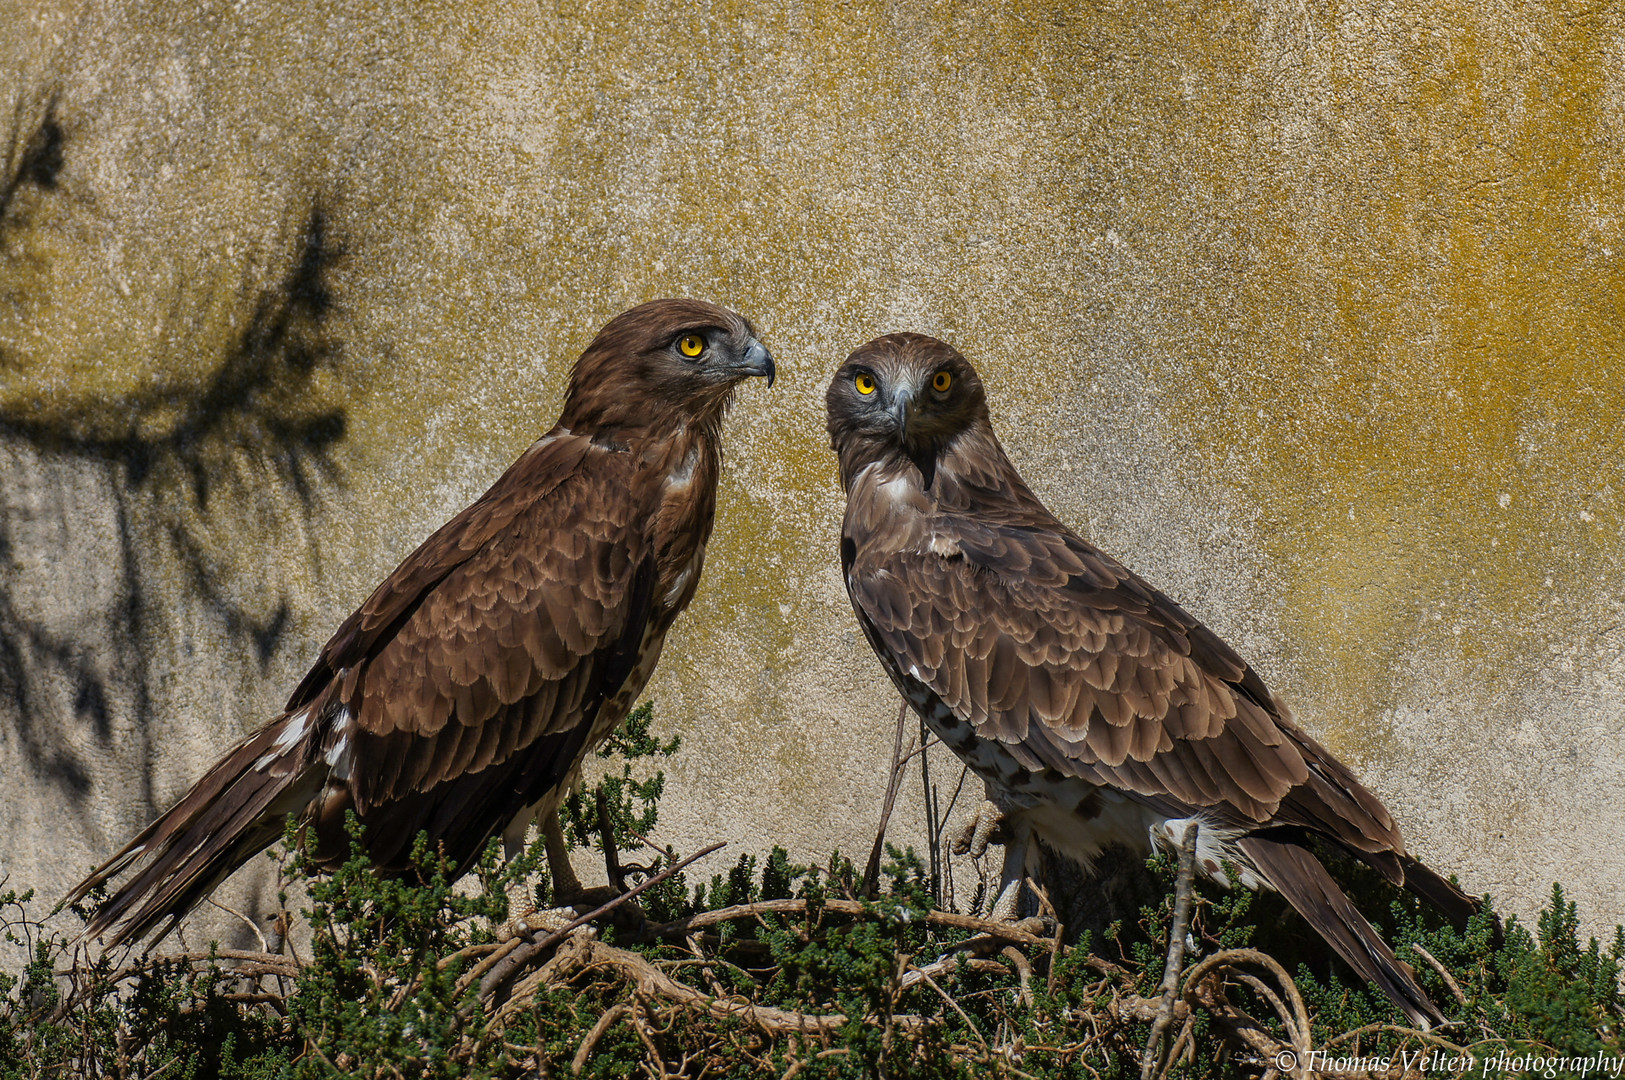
[{"x": 1301, "y": 878}]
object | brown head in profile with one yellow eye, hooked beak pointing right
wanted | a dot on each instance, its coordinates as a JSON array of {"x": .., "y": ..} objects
[{"x": 664, "y": 365}]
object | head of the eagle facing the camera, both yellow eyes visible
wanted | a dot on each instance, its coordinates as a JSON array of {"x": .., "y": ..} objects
[{"x": 903, "y": 397}]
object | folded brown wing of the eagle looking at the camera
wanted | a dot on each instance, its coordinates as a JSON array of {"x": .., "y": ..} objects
[{"x": 1094, "y": 673}]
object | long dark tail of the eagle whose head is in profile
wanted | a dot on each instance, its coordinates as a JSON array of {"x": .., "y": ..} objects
[{"x": 233, "y": 813}]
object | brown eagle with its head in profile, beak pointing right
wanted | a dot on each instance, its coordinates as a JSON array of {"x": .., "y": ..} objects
[{"x": 462, "y": 698}]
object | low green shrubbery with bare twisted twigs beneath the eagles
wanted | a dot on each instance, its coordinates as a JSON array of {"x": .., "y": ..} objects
[{"x": 392, "y": 985}]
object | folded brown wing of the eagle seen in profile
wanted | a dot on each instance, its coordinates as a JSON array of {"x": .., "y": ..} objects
[{"x": 529, "y": 636}]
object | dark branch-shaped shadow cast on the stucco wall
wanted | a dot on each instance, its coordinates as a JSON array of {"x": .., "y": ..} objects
[{"x": 157, "y": 482}]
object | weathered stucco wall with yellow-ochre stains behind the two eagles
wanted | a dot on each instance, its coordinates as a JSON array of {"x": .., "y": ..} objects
[{"x": 1309, "y": 313}]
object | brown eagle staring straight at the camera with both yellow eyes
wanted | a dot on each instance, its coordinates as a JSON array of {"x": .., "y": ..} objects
[{"x": 1096, "y": 709}]
